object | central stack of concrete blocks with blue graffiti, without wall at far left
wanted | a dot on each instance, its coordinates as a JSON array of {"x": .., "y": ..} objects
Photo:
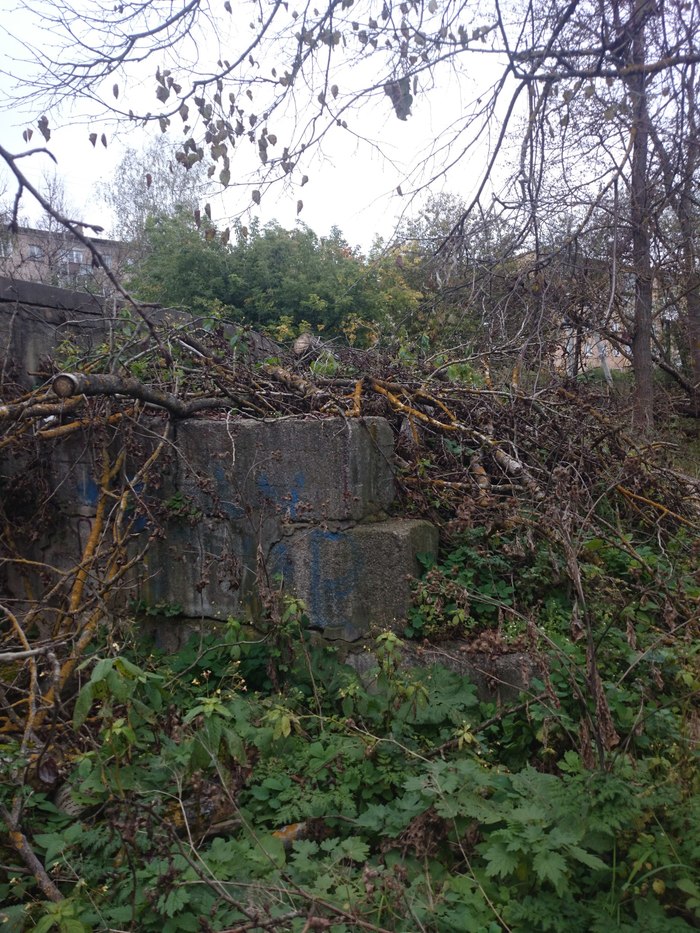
[{"x": 297, "y": 502}]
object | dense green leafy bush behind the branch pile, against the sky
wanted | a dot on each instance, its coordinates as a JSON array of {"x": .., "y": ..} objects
[{"x": 286, "y": 281}]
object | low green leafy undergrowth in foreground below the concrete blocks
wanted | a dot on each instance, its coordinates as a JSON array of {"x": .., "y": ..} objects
[{"x": 260, "y": 784}]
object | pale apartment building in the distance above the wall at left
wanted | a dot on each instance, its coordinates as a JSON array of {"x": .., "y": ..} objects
[{"x": 56, "y": 257}]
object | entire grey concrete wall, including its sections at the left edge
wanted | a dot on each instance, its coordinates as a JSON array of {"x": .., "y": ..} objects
[{"x": 302, "y": 503}]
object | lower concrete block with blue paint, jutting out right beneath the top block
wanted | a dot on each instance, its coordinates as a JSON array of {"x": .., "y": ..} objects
[{"x": 355, "y": 578}]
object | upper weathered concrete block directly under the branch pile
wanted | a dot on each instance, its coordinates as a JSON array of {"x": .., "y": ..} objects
[{"x": 313, "y": 470}]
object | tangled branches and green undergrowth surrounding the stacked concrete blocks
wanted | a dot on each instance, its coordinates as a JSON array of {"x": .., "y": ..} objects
[{"x": 253, "y": 780}]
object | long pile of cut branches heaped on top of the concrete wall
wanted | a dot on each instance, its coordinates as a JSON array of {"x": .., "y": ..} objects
[{"x": 471, "y": 445}]
